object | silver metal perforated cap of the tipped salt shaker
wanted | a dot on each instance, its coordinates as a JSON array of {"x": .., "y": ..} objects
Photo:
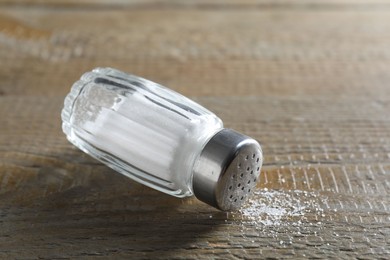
[{"x": 227, "y": 170}]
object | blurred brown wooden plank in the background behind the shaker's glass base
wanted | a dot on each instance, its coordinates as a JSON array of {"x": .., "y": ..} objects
[{"x": 196, "y": 52}]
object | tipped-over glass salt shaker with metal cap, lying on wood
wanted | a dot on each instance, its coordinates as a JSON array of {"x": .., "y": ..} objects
[{"x": 160, "y": 138}]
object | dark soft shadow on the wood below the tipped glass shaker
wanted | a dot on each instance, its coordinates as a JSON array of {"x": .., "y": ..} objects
[{"x": 100, "y": 212}]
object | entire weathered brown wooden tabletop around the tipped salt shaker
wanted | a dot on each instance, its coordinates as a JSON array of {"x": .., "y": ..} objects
[{"x": 309, "y": 79}]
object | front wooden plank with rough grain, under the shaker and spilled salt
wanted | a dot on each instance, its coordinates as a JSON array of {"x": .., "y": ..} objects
[{"x": 57, "y": 202}]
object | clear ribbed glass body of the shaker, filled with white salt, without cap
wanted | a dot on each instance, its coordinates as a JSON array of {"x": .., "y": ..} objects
[{"x": 139, "y": 128}]
